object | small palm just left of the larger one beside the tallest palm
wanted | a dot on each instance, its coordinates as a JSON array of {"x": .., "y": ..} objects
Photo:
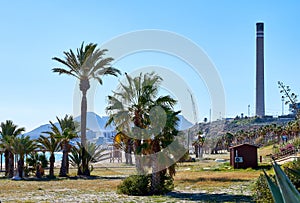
[{"x": 50, "y": 144}]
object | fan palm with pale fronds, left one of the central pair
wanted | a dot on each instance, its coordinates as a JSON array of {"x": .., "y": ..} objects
[{"x": 131, "y": 106}]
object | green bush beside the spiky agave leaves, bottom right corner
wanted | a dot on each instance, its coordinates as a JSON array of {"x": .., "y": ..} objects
[{"x": 262, "y": 192}]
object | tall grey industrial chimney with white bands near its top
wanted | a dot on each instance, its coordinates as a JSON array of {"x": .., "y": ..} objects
[{"x": 260, "y": 87}]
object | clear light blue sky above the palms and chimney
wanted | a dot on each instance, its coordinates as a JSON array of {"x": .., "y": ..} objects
[{"x": 32, "y": 32}]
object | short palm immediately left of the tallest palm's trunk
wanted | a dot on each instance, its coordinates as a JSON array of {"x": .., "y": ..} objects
[{"x": 64, "y": 133}]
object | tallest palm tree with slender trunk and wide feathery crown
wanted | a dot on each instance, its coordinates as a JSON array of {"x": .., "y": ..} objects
[{"x": 88, "y": 63}]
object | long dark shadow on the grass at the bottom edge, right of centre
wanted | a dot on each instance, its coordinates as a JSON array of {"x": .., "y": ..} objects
[{"x": 205, "y": 197}]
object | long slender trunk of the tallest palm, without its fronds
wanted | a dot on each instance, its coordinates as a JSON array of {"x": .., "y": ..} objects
[{"x": 84, "y": 86}]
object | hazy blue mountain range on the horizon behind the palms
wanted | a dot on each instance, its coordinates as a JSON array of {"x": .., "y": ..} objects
[{"x": 97, "y": 123}]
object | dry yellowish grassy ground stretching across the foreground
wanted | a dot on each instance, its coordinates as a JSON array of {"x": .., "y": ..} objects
[{"x": 202, "y": 181}]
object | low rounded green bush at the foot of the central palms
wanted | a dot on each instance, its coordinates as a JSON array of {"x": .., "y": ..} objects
[{"x": 135, "y": 185}]
